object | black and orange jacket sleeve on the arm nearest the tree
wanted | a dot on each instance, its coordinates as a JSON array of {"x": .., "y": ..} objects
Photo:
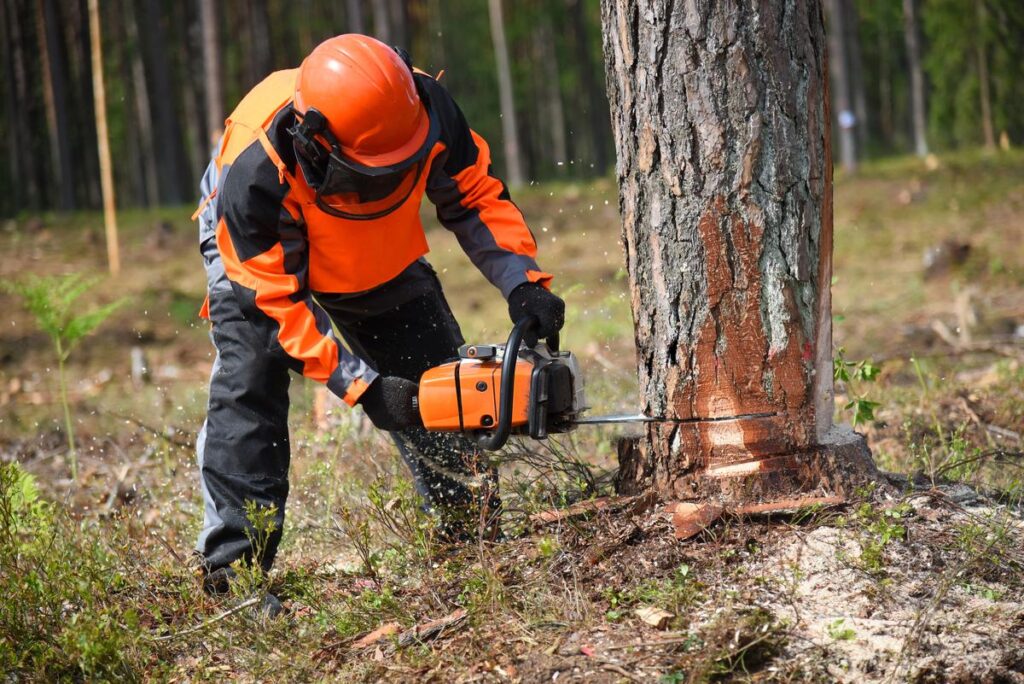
[{"x": 476, "y": 205}]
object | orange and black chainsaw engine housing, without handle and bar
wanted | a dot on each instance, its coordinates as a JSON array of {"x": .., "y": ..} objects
[{"x": 464, "y": 395}]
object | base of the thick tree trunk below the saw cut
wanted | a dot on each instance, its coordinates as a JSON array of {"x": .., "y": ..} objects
[{"x": 832, "y": 472}]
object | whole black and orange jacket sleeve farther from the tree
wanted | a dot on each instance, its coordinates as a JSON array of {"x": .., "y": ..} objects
[{"x": 264, "y": 247}]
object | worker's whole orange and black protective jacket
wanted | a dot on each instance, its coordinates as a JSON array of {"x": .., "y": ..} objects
[{"x": 278, "y": 248}]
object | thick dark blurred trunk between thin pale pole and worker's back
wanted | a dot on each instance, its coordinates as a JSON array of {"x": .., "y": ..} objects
[{"x": 167, "y": 130}]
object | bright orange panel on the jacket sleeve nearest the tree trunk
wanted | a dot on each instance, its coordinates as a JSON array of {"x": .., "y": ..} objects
[{"x": 481, "y": 191}]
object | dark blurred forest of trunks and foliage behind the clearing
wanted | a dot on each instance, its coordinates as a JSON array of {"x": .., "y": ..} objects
[{"x": 174, "y": 70}]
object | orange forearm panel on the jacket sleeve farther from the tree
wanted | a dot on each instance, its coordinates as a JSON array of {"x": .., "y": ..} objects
[{"x": 298, "y": 334}]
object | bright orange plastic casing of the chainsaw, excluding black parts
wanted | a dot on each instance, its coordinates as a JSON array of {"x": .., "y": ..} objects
[{"x": 464, "y": 395}]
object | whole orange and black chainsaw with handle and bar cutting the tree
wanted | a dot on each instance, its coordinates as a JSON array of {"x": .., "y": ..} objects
[{"x": 493, "y": 392}]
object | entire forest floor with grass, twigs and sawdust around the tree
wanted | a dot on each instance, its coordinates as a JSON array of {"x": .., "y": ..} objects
[{"x": 919, "y": 579}]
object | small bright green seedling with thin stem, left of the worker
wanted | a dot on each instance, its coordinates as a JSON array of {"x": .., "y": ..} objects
[{"x": 52, "y": 302}]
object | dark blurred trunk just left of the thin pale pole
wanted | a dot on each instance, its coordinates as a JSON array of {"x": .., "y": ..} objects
[{"x": 56, "y": 96}]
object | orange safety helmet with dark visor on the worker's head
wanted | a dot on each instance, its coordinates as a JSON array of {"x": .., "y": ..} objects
[{"x": 362, "y": 122}]
